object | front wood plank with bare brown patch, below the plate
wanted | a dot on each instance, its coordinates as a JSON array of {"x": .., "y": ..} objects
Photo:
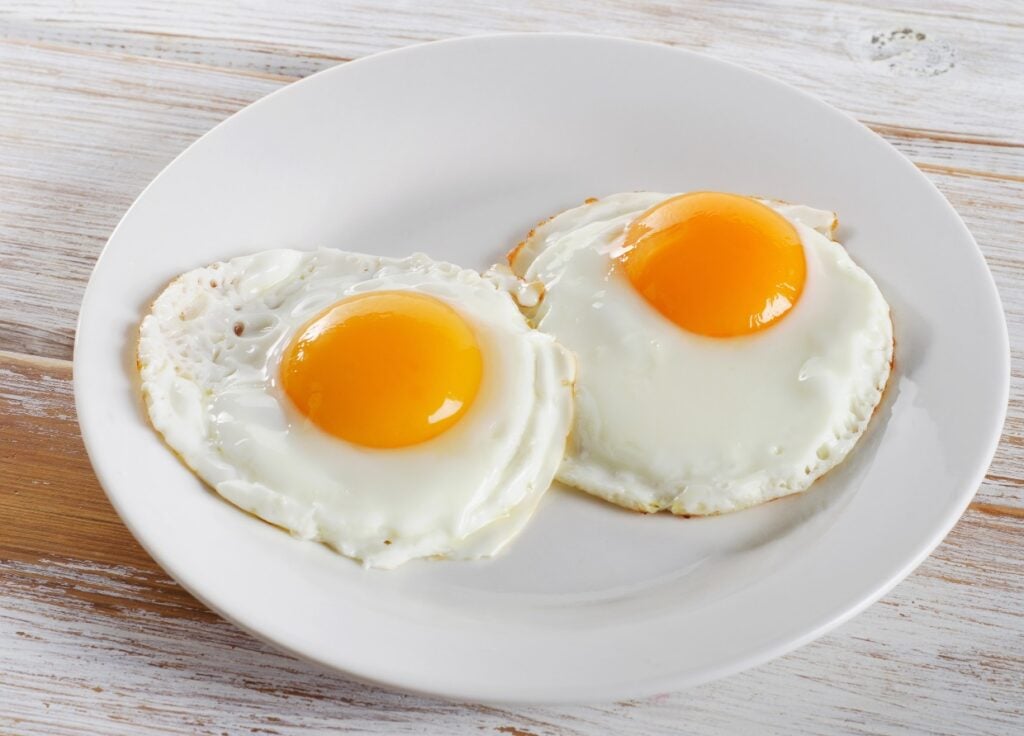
[{"x": 934, "y": 657}]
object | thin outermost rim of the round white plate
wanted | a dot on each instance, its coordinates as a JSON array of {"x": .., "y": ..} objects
[{"x": 763, "y": 655}]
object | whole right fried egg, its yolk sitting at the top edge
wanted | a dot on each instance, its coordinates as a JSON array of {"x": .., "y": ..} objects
[{"x": 730, "y": 352}]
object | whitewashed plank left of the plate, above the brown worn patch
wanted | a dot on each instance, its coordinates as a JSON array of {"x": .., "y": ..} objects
[{"x": 80, "y": 138}]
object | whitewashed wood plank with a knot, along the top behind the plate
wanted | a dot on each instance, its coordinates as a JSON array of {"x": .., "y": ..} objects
[{"x": 909, "y": 67}]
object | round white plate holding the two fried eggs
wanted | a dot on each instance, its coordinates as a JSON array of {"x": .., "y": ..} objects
[{"x": 457, "y": 149}]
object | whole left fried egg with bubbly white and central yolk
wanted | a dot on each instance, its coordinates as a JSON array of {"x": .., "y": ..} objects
[{"x": 393, "y": 409}]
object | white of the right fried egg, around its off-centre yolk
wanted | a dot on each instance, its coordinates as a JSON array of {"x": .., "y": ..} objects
[{"x": 668, "y": 419}]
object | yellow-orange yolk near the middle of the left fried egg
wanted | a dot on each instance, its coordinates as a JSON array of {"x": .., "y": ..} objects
[{"x": 385, "y": 369}]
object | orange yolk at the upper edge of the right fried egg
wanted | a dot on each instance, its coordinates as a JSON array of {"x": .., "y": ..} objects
[{"x": 716, "y": 265}]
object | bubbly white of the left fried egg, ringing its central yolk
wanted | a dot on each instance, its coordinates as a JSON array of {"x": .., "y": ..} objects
[{"x": 214, "y": 395}]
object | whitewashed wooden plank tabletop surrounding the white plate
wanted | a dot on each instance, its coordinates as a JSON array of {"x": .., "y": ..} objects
[{"x": 97, "y": 97}]
